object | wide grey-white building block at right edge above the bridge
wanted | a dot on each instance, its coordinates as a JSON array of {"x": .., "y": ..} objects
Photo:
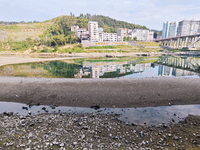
[{"x": 188, "y": 27}]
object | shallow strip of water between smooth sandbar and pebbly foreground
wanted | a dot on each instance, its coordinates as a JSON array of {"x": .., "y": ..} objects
[{"x": 140, "y": 116}]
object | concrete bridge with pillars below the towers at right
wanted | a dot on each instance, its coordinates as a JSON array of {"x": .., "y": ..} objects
[{"x": 181, "y": 42}]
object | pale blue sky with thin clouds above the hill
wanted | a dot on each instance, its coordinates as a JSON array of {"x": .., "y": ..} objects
[{"x": 150, "y": 13}]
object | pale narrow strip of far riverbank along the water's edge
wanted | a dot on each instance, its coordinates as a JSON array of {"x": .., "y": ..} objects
[{"x": 16, "y": 58}]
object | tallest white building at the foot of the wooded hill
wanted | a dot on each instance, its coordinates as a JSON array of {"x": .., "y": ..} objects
[{"x": 93, "y": 31}]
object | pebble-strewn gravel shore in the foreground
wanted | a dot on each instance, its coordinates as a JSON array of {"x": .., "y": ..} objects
[{"x": 93, "y": 131}]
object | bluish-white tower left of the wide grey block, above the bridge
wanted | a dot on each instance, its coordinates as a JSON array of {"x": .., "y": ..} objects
[{"x": 169, "y": 29}]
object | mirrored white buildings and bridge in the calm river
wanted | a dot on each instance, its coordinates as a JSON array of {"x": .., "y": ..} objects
[{"x": 169, "y": 66}]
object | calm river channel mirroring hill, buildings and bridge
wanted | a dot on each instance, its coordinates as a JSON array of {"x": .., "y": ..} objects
[{"x": 138, "y": 67}]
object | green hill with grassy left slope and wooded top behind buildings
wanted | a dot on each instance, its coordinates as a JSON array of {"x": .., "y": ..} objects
[{"x": 54, "y": 32}]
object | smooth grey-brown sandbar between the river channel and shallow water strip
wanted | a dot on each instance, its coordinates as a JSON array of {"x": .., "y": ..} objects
[{"x": 121, "y": 93}]
